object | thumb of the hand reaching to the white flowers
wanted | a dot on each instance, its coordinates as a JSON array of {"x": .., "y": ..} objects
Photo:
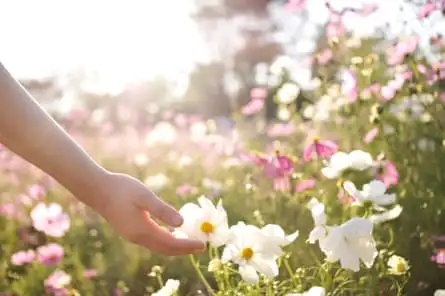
[{"x": 159, "y": 209}]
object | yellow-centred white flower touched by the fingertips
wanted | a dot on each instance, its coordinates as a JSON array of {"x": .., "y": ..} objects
[{"x": 205, "y": 222}]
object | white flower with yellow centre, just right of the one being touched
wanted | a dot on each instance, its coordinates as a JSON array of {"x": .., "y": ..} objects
[{"x": 253, "y": 251}]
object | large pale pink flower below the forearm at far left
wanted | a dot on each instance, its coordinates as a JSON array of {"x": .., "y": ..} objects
[{"x": 50, "y": 220}]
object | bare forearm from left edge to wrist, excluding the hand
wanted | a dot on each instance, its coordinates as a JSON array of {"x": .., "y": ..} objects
[{"x": 27, "y": 130}]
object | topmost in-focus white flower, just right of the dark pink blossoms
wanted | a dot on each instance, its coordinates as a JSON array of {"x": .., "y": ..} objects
[{"x": 340, "y": 161}]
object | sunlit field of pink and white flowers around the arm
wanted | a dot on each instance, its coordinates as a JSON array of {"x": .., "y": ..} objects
[{"x": 344, "y": 196}]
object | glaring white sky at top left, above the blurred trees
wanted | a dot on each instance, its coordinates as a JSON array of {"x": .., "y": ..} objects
[{"x": 122, "y": 39}]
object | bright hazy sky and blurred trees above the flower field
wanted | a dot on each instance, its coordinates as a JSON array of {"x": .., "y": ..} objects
[{"x": 190, "y": 56}]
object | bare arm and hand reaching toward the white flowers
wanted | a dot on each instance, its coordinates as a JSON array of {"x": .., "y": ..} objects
[{"x": 27, "y": 130}]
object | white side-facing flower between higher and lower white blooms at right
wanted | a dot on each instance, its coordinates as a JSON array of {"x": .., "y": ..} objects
[{"x": 374, "y": 191}]
